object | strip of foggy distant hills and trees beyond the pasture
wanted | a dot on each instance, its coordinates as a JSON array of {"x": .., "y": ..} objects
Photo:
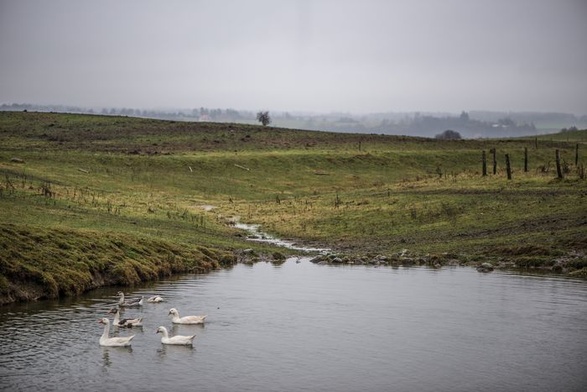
[{"x": 474, "y": 124}]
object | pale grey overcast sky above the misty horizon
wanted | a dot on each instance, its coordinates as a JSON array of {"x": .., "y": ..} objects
[{"x": 356, "y": 56}]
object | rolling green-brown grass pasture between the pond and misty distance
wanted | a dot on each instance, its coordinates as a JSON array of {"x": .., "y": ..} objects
[{"x": 128, "y": 183}]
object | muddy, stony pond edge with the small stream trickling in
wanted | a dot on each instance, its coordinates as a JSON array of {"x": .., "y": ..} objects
[{"x": 27, "y": 289}]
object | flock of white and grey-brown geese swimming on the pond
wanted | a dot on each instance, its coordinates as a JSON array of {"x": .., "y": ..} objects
[{"x": 119, "y": 341}]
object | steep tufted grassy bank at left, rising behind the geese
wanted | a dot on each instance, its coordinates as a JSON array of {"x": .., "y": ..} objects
[{"x": 42, "y": 262}]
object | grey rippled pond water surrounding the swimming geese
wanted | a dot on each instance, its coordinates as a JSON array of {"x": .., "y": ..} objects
[{"x": 307, "y": 327}]
